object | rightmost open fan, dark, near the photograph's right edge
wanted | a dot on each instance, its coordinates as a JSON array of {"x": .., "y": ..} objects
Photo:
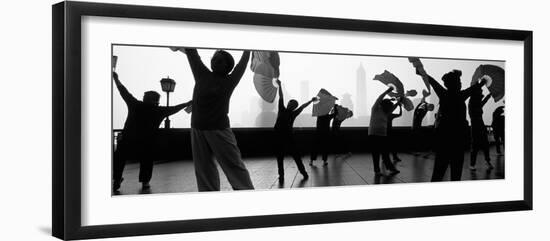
[{"x": 495, "y": 79}]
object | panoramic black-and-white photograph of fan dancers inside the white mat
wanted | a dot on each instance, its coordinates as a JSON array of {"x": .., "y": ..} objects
[{"x": 192, "y": 119}]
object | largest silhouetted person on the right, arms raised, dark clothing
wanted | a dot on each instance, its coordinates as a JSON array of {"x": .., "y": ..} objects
[{"x": 451, "y": 125}]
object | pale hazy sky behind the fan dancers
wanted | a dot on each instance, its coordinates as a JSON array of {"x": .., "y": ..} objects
[{"x": 141, "y": 68}]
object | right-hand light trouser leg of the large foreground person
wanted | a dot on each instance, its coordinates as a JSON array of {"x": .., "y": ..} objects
[{"x": 224, "y": 146}]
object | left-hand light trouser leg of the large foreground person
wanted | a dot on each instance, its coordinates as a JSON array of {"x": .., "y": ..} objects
[{"x": 206, "y": 172}]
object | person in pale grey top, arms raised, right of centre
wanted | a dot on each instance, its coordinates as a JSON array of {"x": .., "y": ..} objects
[{"x": 378, "y": 133}]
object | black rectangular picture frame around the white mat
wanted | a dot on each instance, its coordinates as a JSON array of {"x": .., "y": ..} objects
[{"x": 66, "y": 78}]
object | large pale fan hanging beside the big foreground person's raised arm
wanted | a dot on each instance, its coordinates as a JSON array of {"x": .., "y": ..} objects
[{"x": 265, "y": 65}]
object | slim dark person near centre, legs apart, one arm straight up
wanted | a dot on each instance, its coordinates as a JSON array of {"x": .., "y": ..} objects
[{"x": 285, "y": 143}]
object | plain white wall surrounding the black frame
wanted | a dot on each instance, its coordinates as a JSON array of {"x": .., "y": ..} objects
[{"x": 25, "y": 54}]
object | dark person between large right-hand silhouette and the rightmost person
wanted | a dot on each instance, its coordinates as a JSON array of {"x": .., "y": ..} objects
[{"x": 479, "y": 130}]
